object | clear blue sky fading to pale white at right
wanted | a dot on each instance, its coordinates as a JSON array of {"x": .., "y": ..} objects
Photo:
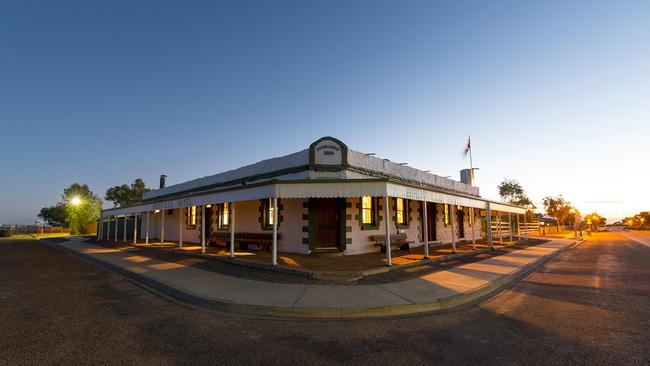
[{"x": 555, "y": 94}]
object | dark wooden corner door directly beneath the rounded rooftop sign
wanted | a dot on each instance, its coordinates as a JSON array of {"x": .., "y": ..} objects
[{"x": 326, "y": 213}]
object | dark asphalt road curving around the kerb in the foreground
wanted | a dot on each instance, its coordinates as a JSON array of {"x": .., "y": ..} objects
[{"x": 589, "y": 306}]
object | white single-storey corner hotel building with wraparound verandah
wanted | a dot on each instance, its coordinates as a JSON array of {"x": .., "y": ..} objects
[{"x": 326, "y": 198}]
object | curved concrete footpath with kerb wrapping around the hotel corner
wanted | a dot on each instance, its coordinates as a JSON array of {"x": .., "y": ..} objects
[{"x": 436, "y": 291}]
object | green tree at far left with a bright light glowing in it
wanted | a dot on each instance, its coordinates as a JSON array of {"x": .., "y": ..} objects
[{"x": 82, "y": 207}]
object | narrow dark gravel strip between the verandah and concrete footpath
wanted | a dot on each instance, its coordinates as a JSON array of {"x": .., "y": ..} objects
[{"x": 268, "y": 275}]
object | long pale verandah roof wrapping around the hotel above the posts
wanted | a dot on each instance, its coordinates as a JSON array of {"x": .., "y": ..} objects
[{"x": 318, "y": 189}]
